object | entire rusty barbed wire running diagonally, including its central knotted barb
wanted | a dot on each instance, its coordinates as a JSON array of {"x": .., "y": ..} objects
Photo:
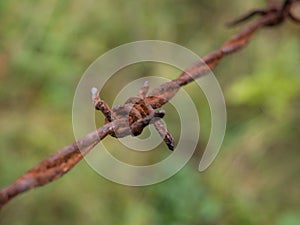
[{"x": 65, "y": 159}]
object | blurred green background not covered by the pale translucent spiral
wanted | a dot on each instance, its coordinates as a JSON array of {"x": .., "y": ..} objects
[{"x": 45, "y": 47}]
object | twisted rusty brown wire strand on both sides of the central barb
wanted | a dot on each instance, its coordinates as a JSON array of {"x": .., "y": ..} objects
[{"x": 62, "y": 161}]
